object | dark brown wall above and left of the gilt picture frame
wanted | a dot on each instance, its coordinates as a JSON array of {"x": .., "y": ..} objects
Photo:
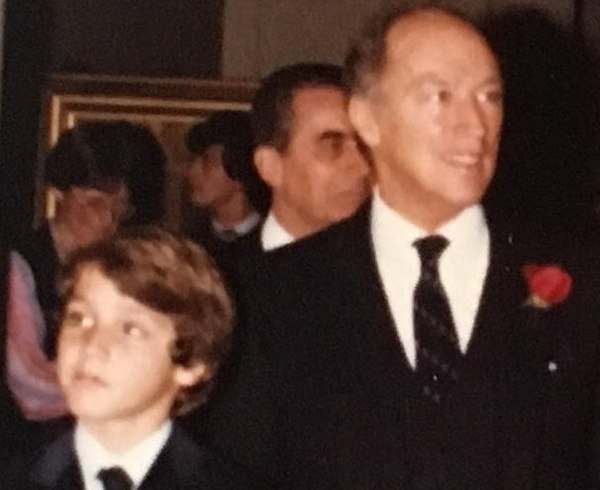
[{"x": 173, "y": 38}]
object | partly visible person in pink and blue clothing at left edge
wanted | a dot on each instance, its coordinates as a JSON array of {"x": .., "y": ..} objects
[{"x": 29, "y": 395}]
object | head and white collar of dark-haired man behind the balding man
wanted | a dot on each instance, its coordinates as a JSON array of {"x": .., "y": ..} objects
[{"x": 307, "y": 152}]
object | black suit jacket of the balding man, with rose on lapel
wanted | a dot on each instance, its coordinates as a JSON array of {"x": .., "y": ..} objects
[{"x": 326, "y": 397}]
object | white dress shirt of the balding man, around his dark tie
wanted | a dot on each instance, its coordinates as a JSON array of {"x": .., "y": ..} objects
[{"x": 463, "y": 267}]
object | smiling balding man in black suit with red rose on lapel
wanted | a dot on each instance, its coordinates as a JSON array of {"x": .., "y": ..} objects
[{"x": 409, "y": 346}]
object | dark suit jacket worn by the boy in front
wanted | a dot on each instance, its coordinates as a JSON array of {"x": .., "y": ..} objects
[{"x": 181, "y": 465}]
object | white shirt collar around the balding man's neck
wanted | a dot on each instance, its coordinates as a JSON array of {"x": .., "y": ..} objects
[{"x": 391, "y": 230}]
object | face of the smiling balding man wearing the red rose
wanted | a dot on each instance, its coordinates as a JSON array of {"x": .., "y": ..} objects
[{"x": 435, "y": 114}]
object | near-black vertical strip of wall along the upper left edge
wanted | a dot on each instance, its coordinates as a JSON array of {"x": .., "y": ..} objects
[{"x": 26, "y": 54}]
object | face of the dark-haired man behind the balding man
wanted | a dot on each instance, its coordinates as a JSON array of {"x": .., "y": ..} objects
[{"x": 324, "y": 176}]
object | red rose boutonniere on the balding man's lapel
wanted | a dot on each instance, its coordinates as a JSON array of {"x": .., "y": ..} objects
[{"x": 548, "y": 285}]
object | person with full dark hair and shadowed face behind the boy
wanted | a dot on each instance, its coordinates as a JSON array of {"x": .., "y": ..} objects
[{"x": 98, "y": 176}]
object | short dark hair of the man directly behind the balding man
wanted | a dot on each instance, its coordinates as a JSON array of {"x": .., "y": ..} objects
[{"x": 272, "y": 105}]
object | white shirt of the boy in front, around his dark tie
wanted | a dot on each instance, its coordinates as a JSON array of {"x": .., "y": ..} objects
[{"x": 136, "y": 462}]
